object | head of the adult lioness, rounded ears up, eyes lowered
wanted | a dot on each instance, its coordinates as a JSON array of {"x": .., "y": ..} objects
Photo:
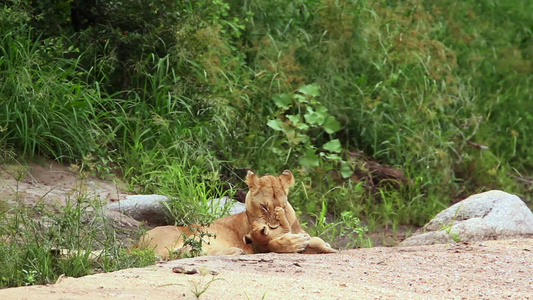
[{"x": 265, "y": 194}]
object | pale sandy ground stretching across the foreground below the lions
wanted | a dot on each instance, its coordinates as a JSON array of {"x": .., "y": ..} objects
[{"x": 487, "y": 270}]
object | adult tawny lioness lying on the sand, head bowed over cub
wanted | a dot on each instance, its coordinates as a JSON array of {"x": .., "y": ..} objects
[{"x": 264, "y": 196}]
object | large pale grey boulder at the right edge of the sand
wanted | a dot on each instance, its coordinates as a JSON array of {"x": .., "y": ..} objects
[{"x": 491, "y": 215}]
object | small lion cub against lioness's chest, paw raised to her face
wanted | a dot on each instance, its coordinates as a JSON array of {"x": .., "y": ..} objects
[{"x": 261, "y": 235}]
